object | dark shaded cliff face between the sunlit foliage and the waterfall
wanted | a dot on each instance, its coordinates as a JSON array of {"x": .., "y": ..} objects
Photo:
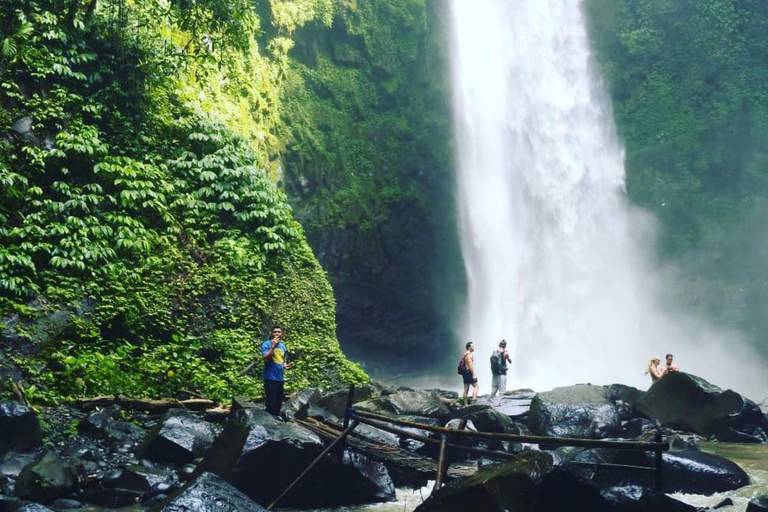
[{"x": 369, "y": 172}]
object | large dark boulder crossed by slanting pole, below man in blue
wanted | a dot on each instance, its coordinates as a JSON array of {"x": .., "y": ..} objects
[{"x": 261, "y": 456}]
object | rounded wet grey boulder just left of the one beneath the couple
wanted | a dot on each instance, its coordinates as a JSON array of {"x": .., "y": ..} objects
[{"x": 582, "y": 411}]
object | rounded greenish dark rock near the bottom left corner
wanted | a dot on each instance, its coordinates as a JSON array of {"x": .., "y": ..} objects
[{"x": 46, "y": 479}]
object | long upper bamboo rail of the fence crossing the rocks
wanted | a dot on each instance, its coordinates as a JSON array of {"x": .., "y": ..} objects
[{"x": 551, "y": 441}]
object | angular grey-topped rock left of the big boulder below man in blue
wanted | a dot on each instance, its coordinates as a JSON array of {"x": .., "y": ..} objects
[{"x": 179, "y": 438}]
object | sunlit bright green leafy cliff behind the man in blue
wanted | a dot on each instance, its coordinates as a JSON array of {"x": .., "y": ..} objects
[{"x": 144, "y": 243}]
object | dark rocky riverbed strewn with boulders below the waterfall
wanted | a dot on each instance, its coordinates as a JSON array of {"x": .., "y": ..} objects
[{"x": 238, "y": 457}]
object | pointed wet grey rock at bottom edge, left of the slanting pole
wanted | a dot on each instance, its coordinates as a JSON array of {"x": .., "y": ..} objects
[{"x": 209, "y": 493}]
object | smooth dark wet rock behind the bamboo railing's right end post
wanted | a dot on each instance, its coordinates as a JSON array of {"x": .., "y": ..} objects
[{"x": 690, "y": 472}]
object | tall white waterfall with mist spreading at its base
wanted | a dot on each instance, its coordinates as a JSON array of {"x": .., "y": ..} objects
[{"x": 556, "y": 258}]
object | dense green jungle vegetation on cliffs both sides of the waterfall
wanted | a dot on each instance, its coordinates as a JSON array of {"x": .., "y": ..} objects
[{"x": 177, "y": 174}]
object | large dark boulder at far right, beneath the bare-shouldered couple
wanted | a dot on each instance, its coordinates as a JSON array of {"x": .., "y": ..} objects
[{"x": 687, "y": 402}]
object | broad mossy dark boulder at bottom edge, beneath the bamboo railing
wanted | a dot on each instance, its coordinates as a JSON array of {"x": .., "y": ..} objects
[{"x": 534, "y": 481}]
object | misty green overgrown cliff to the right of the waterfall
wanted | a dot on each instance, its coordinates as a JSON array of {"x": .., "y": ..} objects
[{"x": 689, "y": 85}]
